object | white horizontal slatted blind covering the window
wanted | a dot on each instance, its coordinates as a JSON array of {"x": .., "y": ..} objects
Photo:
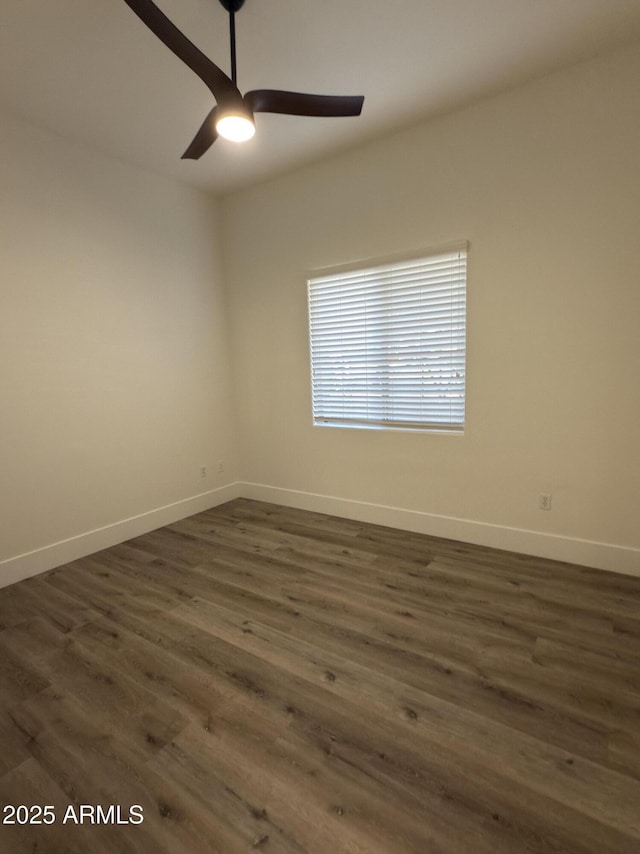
[{"x": 388, "y": 344}]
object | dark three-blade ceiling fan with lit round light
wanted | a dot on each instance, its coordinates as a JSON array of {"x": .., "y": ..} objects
[{"x": 232, "y": 117}]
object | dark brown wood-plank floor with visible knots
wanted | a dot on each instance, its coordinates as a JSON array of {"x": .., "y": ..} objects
[{"x": 265, "y": 679}]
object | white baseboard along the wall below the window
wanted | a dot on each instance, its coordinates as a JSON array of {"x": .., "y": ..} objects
[{"x": 568, "y": 549}]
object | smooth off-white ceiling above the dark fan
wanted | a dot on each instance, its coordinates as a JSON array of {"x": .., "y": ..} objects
[{"x": 89, "y": 70}]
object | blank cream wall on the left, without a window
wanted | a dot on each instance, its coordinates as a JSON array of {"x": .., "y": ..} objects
[{"x": 114, "y": 375}]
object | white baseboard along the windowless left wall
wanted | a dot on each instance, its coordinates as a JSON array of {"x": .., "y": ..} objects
[{"x": 32, "y": 563}]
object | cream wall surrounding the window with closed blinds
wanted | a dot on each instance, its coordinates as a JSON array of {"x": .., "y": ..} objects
[{"x": 544, "y": 181}]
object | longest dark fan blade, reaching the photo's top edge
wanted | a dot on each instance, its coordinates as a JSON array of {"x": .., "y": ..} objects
[{"x": 222, "y": 87}]
